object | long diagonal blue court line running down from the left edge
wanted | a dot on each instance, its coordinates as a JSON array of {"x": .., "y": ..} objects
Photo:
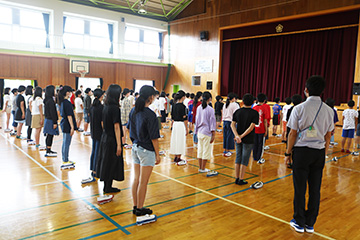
[{"x": 68, "y": 187}]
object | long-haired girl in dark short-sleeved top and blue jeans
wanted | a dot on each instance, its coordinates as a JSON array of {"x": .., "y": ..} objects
[{"x": 68, "y": 122}]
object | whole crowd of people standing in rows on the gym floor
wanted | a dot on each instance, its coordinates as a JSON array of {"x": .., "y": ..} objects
[{"x": 108, "y": 116}]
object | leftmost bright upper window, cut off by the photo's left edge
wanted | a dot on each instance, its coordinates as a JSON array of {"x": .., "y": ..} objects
[{"x": 22, "y": 25}]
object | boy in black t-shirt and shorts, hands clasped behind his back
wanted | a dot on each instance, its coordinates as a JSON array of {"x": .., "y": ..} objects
[{"x": 243, "y": 127}]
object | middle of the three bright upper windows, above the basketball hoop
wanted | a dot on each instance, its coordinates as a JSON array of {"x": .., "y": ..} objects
[{"x": 80, "y": 33}]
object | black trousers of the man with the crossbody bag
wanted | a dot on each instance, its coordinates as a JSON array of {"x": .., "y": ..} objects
[{"x": 308, "y": 165}]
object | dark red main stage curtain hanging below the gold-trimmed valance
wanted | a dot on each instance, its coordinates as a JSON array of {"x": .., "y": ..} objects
[{"x": 279, "y": 66}]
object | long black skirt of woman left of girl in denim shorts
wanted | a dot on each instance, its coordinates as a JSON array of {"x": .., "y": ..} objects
[{"x": 109, "y": 166}]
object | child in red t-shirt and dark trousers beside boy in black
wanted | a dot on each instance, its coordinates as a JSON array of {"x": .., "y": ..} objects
[{"x": 261, "y": 130}]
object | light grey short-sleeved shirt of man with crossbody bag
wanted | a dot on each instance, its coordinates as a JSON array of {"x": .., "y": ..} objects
[{"x": 302, "y": 117}]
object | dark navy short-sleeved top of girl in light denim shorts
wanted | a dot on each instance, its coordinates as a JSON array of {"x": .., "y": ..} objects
[{"x": 144, "y": 127}]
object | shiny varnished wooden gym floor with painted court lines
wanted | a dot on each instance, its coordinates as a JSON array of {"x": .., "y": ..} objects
[{"x": 40, "y": 201}]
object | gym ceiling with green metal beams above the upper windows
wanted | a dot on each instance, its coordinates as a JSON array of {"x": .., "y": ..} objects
[{"x": 165, "y": 10}]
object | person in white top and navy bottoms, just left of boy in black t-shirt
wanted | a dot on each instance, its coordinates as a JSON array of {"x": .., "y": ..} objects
[{"x": 228, "y": 111}]
